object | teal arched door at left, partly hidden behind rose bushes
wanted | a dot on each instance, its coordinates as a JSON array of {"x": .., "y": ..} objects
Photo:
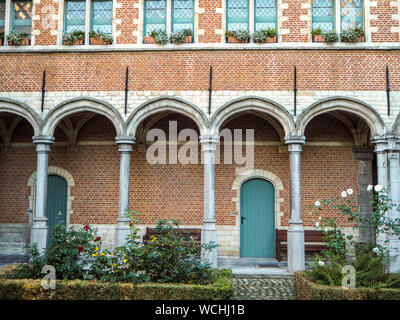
[{"x": 56, "y": 210}]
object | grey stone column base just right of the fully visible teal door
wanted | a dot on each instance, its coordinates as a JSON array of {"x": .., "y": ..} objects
[{"x": 296, "y": 254}]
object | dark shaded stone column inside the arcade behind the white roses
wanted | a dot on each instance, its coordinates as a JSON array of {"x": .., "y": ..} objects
[{"x": 364, "y": 155}]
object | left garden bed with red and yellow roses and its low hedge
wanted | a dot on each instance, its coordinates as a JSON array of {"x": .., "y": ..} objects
[{"x": 167, "y": 268}]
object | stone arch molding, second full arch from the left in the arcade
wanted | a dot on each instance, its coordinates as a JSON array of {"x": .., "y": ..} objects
[{"x": 163, "y": 104}]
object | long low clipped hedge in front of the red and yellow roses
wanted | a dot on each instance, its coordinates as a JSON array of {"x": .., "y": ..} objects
[{"x": 29, "y": 289}]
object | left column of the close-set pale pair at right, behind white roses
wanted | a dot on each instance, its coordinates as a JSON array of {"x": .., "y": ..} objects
[{"x": 381, "y": 167}]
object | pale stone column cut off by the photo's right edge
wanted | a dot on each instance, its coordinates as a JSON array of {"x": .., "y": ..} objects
[{"x": 394, "y": 182}]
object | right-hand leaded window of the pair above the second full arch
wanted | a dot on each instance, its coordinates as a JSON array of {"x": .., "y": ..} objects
[{"x": 182, "y": 15}]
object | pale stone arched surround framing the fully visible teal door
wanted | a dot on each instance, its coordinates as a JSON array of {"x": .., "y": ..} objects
[{"x": 261, "y": 174}]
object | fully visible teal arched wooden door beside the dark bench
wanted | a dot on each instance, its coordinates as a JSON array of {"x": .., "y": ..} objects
[{"x": 257, "y": 219}]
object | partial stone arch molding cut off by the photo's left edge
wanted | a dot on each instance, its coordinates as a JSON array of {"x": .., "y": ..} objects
[{"x": 22, "y": 110}]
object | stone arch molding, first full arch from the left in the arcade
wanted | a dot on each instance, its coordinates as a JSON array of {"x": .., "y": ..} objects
[{"x": 58, "y": 113}]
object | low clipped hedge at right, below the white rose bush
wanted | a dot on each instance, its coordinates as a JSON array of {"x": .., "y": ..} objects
[{"x": 308, "y": 290}]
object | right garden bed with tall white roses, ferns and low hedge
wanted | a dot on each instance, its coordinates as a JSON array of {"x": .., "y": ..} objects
[{"x": 354, "y": 268}]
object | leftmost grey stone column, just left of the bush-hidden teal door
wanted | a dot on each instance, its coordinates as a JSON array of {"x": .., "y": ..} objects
[{"x": 40, "y": 228}]
